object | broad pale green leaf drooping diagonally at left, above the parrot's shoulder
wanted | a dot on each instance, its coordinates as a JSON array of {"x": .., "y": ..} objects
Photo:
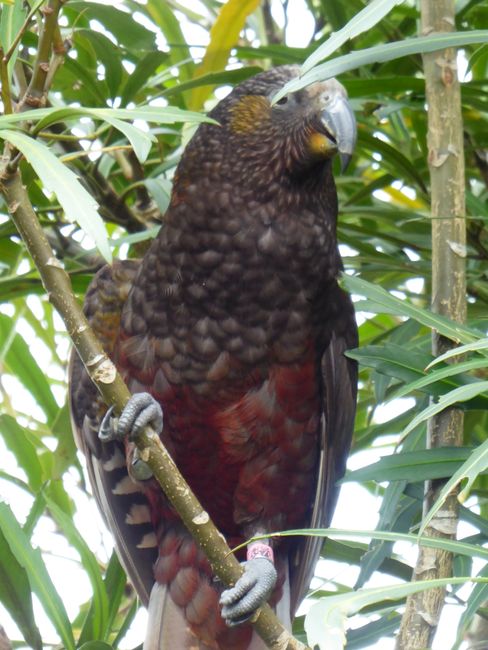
[{"x": 77, "y": 203}]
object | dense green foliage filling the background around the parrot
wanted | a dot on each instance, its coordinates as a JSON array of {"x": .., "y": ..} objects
[{"x": 107, "y": 142}]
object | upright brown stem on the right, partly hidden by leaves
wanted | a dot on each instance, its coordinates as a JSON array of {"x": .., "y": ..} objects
[{"x": 446, "y": 165}]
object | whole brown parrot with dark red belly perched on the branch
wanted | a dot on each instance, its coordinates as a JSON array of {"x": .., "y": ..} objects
[{"x": 234, "y": 327}]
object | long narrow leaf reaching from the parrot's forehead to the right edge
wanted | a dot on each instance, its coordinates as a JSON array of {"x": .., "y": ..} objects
[{"x": 382, "y": 53}]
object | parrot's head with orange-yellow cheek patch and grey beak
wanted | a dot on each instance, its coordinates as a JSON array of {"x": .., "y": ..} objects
[{"x": 300, "y": 132}]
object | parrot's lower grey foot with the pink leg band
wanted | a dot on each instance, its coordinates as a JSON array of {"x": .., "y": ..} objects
[{"x": 251, "y": 590}]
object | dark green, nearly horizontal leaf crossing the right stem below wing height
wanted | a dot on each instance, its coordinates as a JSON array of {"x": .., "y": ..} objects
[{"x": 413, "y": 466}]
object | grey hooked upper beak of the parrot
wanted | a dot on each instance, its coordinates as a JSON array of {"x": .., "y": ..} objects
[{"x": 338, "y": 119}]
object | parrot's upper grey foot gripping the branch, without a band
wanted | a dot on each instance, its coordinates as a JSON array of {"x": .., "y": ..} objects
[{"x": 140, "y": 411}]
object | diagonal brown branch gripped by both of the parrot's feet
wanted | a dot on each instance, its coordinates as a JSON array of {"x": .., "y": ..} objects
[{"x": 114, "y": 391}]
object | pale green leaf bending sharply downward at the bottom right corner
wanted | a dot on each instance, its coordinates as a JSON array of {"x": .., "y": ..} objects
[{"x": 326, "y": 621}]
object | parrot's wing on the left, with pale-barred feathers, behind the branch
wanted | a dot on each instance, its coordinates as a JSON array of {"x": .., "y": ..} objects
[{"x": 122, "y": 503}]
